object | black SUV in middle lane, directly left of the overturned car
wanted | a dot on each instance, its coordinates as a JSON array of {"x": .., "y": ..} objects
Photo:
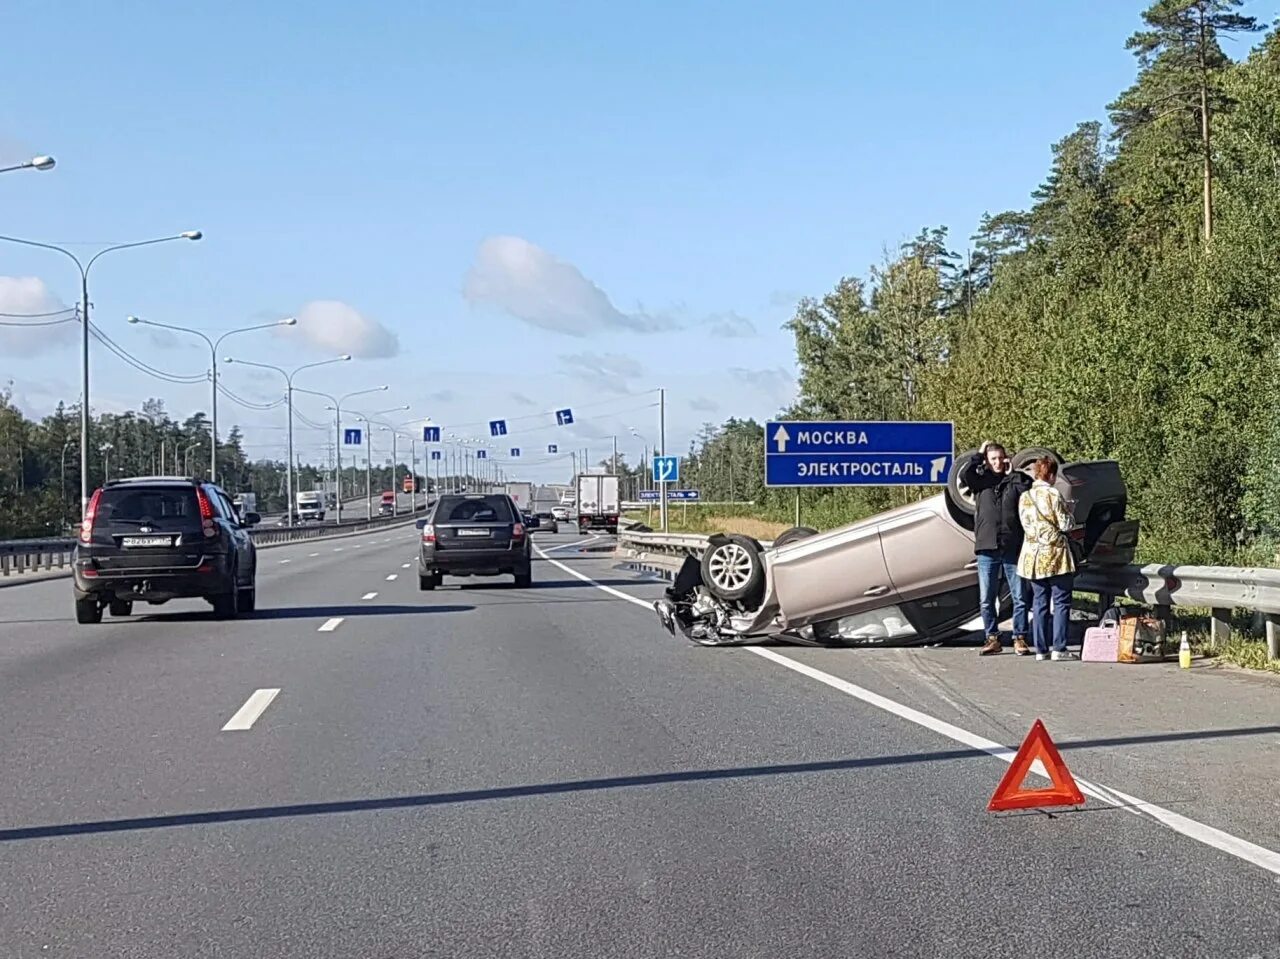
[{"x": 474, "y": 536}]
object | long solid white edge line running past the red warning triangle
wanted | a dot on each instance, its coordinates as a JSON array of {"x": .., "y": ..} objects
[{"x": 1242, "y": 850}]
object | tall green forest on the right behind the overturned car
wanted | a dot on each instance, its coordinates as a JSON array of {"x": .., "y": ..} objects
[{"x": 1131, "y": 312}]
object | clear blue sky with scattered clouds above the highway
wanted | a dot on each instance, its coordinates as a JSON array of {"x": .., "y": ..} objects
[{"x": 504, "y": 209}]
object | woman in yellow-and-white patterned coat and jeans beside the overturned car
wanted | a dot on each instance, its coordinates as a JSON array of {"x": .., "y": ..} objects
[{"x": 1046, "y": 560}]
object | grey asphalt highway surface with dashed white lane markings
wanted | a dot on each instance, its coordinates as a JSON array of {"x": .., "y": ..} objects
[{"x": 486, "y": 771}]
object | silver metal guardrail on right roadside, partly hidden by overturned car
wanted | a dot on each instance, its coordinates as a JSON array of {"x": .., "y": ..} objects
[{"x": 1218, "y": 588}]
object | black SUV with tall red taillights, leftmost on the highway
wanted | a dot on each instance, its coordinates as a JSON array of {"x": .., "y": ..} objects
[{"x": 159, "y": 538}]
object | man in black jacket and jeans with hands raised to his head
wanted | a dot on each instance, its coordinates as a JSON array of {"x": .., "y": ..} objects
[{"x": 998, "y": 538}]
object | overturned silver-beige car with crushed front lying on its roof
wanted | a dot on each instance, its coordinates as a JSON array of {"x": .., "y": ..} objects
[{"x": 903, "y": 578}]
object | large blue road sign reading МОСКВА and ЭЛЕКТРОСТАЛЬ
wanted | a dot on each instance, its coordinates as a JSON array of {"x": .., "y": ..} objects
[{"x": 858, "y": 454}]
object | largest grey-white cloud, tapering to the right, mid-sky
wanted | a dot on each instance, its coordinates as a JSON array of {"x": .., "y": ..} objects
[{"x": 533, "y": 286}]
